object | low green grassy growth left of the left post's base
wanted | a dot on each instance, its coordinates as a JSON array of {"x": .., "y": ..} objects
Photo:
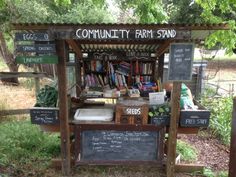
[{"x": 23, "y": 145}]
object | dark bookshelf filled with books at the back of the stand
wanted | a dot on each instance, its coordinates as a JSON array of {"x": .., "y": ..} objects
[{"x": 118, "y": 72}]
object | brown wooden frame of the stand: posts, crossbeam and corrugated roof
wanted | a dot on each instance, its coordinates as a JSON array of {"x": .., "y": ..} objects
[{"x": 155, "y": 38}]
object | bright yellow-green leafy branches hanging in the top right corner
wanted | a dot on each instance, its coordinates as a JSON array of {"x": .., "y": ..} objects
[{"x": 217, "y": 11}]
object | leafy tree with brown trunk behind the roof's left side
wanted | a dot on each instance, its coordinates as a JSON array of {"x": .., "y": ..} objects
[{"x": 46, "y": 11}]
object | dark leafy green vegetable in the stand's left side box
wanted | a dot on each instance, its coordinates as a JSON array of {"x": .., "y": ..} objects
[{"x": 47, "y": 97}]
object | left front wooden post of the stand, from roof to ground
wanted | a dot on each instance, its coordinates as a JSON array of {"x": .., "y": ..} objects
[{"x": 63, "y": 108}]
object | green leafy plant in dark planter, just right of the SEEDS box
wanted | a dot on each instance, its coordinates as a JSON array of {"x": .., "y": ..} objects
[{"x": 160, "y": 114}]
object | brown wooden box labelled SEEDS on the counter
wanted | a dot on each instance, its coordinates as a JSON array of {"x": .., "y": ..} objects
[{"x": 131, "y": 112}]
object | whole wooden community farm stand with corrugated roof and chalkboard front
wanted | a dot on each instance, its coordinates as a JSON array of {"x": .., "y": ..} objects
[{"x": 132, "y": 43}]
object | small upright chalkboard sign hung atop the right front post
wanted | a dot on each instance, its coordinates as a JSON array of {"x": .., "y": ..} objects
[{"x": 180, "y": 62}]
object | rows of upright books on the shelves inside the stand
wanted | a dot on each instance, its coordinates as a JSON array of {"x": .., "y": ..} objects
[{"x": 117, "y": 74}]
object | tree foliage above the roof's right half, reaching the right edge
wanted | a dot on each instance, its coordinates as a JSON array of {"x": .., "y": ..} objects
[{"x": 189, "y": 11}]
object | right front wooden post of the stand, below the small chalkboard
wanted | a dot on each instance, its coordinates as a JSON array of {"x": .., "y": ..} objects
[{"x": 172, "y": 138}]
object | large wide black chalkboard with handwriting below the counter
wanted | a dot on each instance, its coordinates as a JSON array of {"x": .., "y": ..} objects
[{"x": 119, "y": 145}]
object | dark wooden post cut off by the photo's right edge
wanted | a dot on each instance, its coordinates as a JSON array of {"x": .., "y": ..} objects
[{"x": 232, "y": 161}]
